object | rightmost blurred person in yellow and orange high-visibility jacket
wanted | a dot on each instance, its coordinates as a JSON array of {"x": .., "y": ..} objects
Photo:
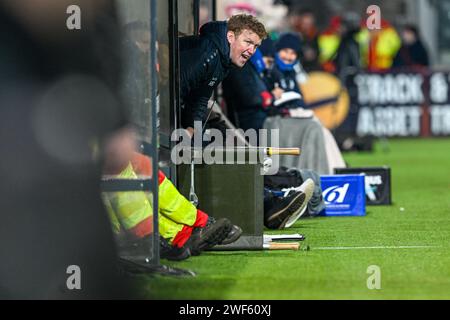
[{"x": 379, "y": 47}]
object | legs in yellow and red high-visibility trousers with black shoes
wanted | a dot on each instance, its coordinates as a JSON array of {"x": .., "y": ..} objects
[{"x": 131, "y": 212}]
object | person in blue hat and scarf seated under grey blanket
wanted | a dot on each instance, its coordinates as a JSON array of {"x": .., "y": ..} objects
[{"x": 297, "y": 124}]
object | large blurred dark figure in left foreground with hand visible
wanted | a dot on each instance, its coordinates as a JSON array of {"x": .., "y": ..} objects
[{"x": 58, "y": 100}]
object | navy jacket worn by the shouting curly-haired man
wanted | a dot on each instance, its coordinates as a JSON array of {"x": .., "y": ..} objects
[{"x": 205, "y": 62}]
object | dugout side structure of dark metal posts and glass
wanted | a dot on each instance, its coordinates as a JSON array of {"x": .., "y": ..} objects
[{"x": 151, "y": 29}]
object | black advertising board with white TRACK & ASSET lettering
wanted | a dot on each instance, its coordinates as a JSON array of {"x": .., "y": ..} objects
[{"x": 398, "y": 104}]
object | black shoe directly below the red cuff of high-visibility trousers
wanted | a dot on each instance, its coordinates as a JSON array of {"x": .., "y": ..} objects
[{"x": 215, "y": 232}]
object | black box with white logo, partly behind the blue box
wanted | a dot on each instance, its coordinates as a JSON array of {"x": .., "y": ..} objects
[{"x": 377, "y": 184}]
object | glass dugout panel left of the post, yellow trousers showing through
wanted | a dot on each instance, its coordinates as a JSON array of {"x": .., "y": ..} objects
[{"x": 130, "y": 208}]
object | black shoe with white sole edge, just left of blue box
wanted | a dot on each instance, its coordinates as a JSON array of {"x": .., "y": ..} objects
[{"x": 280, "y": 209}]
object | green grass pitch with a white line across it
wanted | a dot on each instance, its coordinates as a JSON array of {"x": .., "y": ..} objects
[{"x": 421, "y": 185}]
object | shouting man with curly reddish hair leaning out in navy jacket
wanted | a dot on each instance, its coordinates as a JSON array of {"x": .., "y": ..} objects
[{"x": 207, "y": 58}]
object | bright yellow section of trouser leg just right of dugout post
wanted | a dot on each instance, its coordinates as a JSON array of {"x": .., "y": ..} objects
[{"x": 174, "y": 205}]
